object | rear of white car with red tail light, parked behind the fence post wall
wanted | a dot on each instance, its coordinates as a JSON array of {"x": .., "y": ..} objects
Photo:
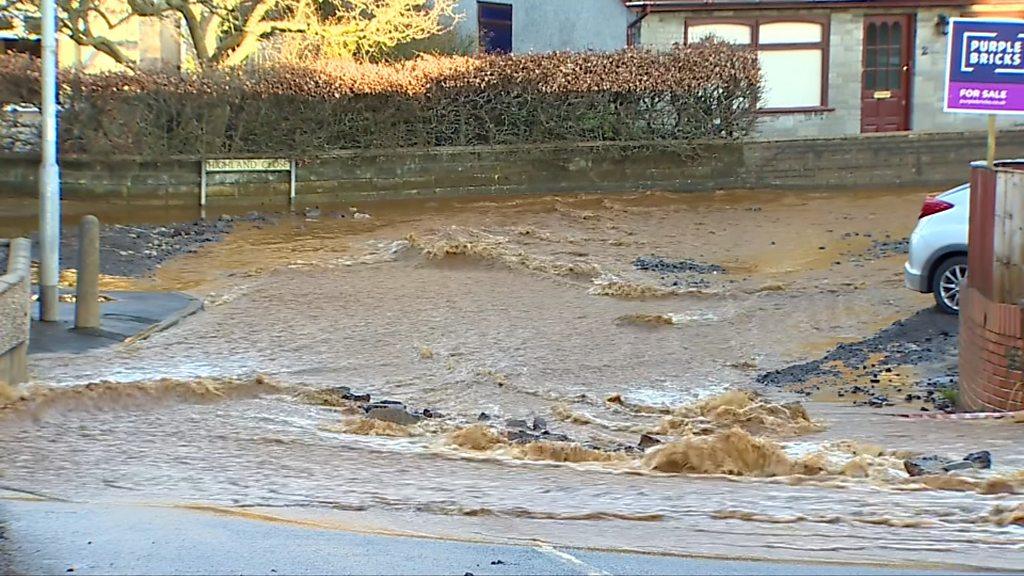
[{"x": 937, "y": 262}]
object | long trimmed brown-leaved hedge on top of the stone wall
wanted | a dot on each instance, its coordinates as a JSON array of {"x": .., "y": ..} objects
[{"x": 703, "y": 92}]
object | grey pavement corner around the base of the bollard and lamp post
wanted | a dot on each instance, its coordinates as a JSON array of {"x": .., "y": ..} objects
[{"x": 129, "y": 316}]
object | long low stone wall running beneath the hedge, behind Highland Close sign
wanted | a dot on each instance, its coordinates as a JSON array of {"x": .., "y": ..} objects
[{"x": 878, "y": 160}]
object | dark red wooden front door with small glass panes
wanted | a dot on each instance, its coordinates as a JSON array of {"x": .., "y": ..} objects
[{"x": 885, "y": 86}]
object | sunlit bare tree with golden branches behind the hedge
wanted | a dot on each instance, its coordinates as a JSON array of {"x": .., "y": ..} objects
[{"x": 225, "y": 33}]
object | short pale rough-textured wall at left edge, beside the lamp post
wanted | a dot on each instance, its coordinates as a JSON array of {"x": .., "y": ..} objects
[{"x": 15, "y": 313}]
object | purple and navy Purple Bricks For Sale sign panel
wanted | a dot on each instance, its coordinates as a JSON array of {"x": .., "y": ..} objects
[{"x": 986, "y": 70}]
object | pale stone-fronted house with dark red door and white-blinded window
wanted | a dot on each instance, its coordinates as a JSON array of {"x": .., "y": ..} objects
[{"x": 834, "y": 68}]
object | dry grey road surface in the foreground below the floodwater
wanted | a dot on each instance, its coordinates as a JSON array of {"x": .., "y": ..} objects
[{"x": 42, "y": 537}]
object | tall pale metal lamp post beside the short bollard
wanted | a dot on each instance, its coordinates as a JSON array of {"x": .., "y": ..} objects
[{"x": 50, "y": 173}]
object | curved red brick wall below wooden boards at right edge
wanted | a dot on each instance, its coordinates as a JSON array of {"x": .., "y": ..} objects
[{"x": 992, "y": 355}]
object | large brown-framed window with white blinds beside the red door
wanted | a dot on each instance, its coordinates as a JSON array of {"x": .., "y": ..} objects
[{"x": 793, "y": 54}]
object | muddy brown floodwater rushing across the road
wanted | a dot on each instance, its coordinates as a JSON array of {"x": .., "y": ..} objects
[{"x": 524, "y": 308}]
